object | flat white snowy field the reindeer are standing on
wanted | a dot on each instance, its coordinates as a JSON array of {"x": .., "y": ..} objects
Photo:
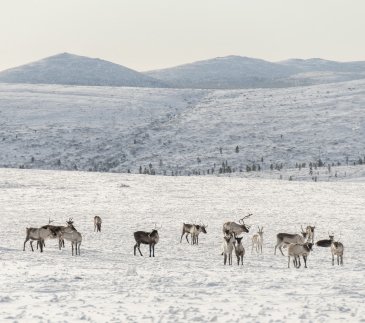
[{"x": 183, "y": 283}]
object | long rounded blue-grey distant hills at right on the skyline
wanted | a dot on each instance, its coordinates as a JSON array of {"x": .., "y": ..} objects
[{"x": 235, "y": 72}]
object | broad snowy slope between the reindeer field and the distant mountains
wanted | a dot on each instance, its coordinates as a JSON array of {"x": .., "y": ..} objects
[{"x": 180, "y": 131}]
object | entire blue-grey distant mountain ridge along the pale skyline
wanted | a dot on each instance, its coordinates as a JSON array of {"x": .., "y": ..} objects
[{"x": 230, "y": 72}]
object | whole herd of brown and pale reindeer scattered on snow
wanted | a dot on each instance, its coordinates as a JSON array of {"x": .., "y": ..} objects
[{"x": 298, "y": 245}]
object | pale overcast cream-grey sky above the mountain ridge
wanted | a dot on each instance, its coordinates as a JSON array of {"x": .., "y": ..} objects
[{"x": 151, "y": 34}]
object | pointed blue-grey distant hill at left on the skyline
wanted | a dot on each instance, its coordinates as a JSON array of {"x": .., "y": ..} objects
[{"x": 72, "y": 69}]
